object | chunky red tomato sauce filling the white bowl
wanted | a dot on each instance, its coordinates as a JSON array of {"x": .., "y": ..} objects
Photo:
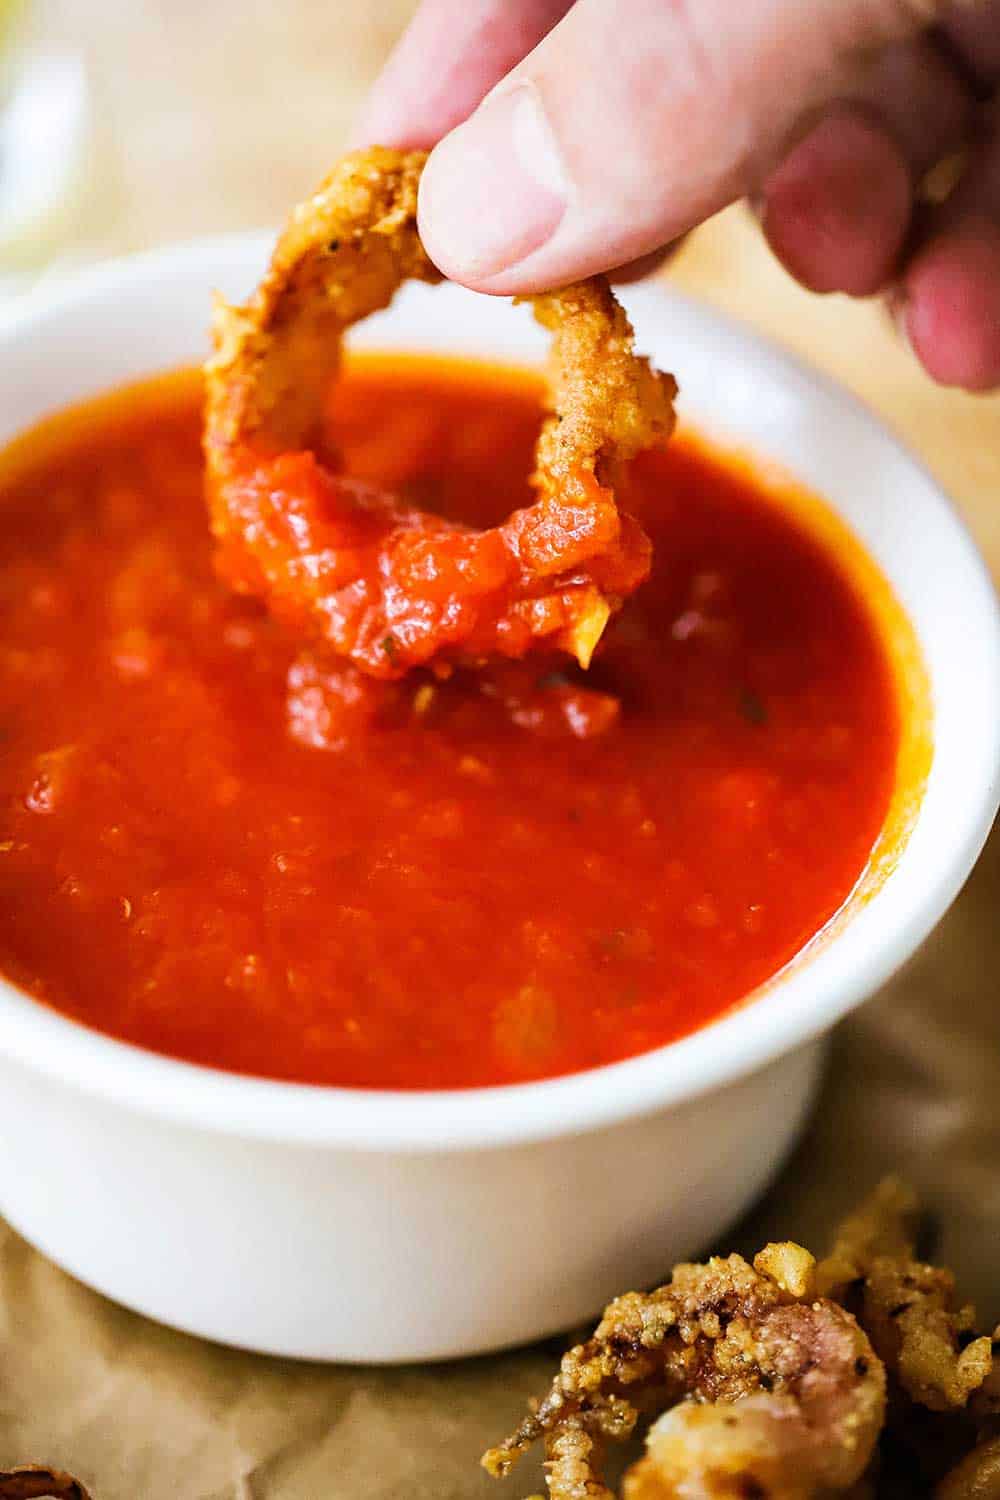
[{"x": 226, "y": 848}]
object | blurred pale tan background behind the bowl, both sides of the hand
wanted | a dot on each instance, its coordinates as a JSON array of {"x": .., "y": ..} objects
[{"x": 130, "y": 124}]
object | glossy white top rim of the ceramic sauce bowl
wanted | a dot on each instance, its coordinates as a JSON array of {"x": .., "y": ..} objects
[{"x": 792, "y": 1010}]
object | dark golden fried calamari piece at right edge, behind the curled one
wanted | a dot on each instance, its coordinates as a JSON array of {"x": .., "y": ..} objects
[{"x": 909, "y": 1309}]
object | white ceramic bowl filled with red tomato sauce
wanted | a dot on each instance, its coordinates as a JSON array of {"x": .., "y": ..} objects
[{"x": 377, "y": 1226}]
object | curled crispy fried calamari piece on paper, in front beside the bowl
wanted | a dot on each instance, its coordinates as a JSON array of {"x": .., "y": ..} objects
[{"x": 773, "y": 1391}]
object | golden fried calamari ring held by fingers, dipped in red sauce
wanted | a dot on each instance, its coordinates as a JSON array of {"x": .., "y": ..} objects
[{"x": 379, "y": 581}]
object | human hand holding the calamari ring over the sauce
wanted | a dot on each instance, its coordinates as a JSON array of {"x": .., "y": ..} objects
[{"x": 584, "y": 137}]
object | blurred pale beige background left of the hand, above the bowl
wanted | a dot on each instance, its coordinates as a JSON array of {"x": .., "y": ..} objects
[{"x": 202, "y": 115}]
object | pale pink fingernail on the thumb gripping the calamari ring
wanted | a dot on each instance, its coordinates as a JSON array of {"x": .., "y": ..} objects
[{"x": 496, "y": 190}]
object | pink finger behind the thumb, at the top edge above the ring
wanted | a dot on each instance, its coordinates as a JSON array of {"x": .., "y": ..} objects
[{"x": 448, "y": 59}]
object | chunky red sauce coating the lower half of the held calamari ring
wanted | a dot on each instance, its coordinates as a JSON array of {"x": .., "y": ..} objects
[{"x": 394, "y": 587}]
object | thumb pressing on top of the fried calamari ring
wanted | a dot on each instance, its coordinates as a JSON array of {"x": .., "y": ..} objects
[{"x": 633, "y": 122}]
